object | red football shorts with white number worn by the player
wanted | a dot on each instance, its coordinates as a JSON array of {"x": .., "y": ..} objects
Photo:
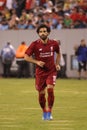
[{"x": 43, "y": 81}]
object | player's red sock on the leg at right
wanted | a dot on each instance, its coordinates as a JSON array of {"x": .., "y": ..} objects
[{"x": 50, "y": 98}]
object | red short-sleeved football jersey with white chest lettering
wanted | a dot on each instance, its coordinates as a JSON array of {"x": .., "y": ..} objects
[{"x": 45, "y": 53}]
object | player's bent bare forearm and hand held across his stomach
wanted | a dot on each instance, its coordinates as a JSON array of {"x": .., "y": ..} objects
[{"x": 33, "y": 60}]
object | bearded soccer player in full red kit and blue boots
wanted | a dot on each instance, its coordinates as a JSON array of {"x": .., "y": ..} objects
[{"x": 43, "y": 50}]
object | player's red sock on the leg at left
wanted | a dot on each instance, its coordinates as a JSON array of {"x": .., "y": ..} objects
[{"x": 42, "y": 101}]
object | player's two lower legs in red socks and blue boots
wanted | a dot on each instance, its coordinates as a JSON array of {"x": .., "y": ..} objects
[{"x": 50, "y": 99}]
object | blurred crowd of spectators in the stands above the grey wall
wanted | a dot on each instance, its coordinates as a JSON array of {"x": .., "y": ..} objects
[{"x": 57, "y": 14}]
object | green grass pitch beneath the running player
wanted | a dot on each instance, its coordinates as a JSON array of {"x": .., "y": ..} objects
[{"x": 20, "y": 110}]
